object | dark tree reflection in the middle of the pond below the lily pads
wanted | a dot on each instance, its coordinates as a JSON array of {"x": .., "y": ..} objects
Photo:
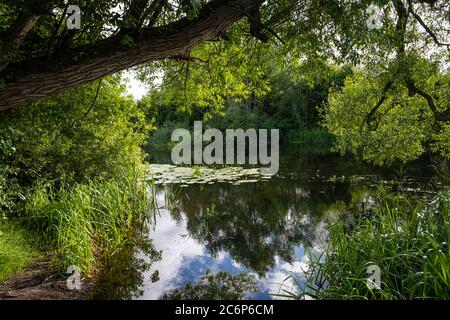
[{"x": 257, "y": 223}]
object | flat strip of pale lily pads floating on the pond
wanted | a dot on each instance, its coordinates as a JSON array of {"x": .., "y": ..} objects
[{"x": 185, "y": 176}]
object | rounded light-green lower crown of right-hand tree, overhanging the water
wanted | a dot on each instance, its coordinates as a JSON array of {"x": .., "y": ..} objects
[{"x": 402, "y": 127}]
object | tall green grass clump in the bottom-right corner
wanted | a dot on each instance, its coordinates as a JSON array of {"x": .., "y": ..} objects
[{"x": 410, "y": 244}]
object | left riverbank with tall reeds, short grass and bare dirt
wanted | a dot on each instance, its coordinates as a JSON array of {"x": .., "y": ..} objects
[{"x": 75, "y": 225}]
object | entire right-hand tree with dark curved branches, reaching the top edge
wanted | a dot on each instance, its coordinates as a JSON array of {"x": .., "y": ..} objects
[{"x": 397, "y": 106}]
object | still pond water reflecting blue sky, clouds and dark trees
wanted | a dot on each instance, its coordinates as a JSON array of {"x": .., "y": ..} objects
[{"x": 263, "y": 229}]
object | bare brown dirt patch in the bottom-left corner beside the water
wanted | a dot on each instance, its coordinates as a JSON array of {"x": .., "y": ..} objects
[{"x": 38, "y": 282}]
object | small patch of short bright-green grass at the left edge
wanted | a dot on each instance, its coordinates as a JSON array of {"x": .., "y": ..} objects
[{"x": 15, "y": 254}]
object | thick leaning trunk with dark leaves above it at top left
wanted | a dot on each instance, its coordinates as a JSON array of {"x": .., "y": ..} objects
[{"x": 39, "y": 56}]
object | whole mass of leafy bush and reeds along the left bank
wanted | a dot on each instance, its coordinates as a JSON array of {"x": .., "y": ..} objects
[{"x": 69, "y": 170}]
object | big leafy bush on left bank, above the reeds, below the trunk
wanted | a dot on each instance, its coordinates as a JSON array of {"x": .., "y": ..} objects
[{"x": 75, "y": 137}]
